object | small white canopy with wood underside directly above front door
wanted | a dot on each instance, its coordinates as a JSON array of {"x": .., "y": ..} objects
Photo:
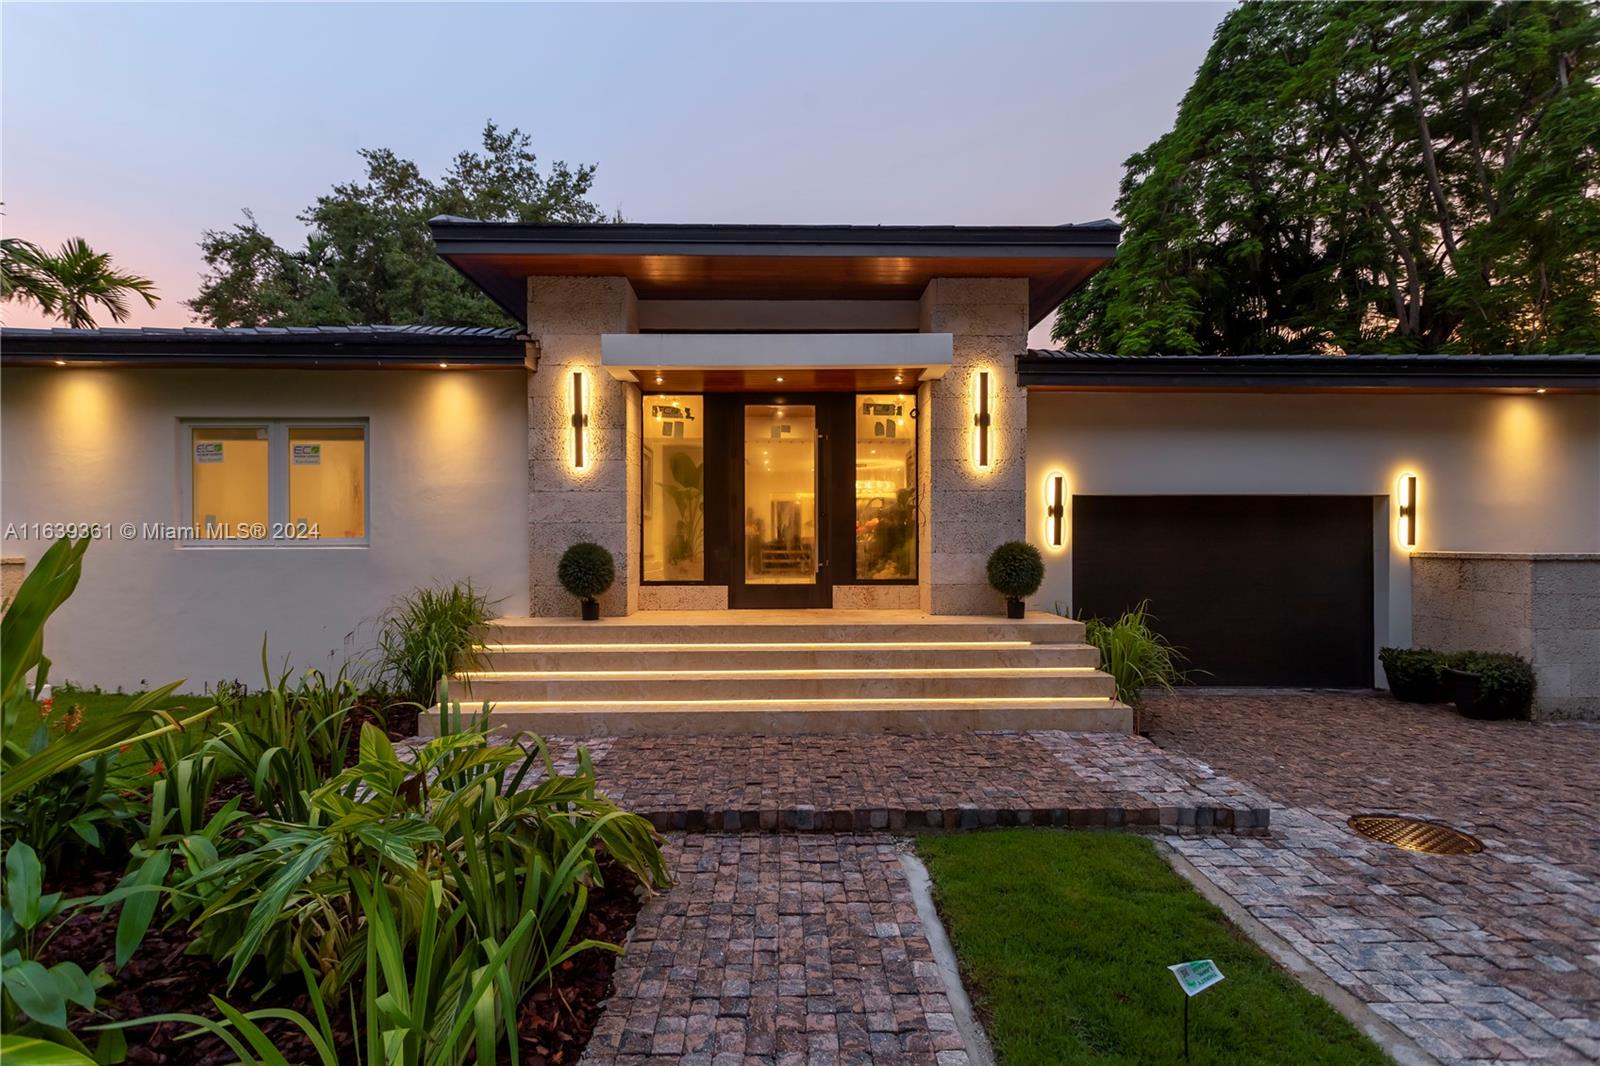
[{"x": 758, "y": 363}]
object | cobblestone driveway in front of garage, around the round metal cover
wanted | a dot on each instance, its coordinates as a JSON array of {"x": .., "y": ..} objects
[{"x": 1481, "y": 960}]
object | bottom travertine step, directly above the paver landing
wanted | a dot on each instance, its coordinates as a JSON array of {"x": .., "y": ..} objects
[{"x": 817, "y": 716}]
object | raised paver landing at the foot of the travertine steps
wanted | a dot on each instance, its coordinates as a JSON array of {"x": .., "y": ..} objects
[{"x": 914, "y": 782}]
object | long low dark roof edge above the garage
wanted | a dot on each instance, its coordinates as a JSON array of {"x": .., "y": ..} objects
[{"x": 1060, "y": 369}]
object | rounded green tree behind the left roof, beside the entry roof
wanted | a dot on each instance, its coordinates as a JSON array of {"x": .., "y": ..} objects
[{"x": 369, "y": 257}]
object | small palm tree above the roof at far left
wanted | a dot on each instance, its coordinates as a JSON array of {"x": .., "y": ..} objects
[{"x": 71, "y": 283}]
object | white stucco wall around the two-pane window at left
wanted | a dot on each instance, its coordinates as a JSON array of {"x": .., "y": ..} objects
[{"x": 449, "y": 462}]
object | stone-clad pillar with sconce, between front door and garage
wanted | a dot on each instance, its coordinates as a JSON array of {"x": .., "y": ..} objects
[{"x": 966, "y": 511}]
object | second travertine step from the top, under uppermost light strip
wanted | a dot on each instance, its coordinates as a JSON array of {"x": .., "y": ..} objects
[{"x": 798, "y": 655}]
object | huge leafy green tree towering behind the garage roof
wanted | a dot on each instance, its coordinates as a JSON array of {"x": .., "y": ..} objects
[{"x": 1367, "y": 178}]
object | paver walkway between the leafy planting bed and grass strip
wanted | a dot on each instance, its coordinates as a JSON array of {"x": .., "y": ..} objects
[{"x": 780, "y": 950}]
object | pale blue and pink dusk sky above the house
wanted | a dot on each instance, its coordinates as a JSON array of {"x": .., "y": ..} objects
[{"x": 140, "y": 126}]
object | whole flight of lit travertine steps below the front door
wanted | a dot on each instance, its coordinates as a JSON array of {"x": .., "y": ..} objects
[{"x": 785, "y": 673}]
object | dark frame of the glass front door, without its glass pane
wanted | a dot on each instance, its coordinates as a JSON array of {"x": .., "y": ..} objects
[{"x": 836, "y": 500}]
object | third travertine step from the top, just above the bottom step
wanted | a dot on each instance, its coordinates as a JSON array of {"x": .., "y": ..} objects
[{"x": 786, "y": 684}]
